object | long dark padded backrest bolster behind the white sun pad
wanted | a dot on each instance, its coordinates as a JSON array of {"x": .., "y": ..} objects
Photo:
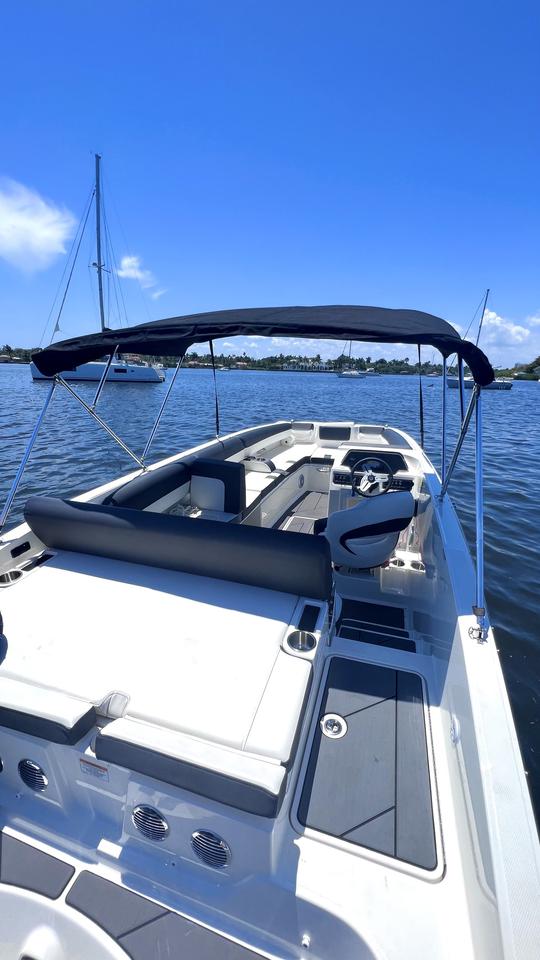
[{"x": 293, "y": 563}]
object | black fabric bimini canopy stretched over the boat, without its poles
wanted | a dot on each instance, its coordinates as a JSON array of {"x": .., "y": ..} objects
[{"x": 172, "y": 337}]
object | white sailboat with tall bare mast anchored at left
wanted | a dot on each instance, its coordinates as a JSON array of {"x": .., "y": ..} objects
[{"x": 118, "y": 370}]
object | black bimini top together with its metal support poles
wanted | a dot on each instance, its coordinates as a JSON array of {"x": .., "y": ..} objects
[{"x": 175, "y": 335}]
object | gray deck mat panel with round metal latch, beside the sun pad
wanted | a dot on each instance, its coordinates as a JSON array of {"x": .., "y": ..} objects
[{"x": 372, "y": 787}]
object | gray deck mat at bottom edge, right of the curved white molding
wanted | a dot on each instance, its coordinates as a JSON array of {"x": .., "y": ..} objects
[{"x": 145, "y": 930}]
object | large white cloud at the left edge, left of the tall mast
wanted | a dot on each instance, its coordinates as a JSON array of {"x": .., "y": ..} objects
[{"x": 33, "y": 231}]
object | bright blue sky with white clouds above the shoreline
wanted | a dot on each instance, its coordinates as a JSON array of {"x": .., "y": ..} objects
[{"x": 278, "y": 153}]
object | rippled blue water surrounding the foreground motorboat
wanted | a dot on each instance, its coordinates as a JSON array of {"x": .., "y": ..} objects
[{"x": 73, "y": 454}]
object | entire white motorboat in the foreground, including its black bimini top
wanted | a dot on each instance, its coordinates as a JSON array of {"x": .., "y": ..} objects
[{"x": 251, "y": 704}]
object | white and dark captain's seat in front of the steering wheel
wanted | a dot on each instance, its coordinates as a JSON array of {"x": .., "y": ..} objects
[{"x": 366, "y": 535}]
